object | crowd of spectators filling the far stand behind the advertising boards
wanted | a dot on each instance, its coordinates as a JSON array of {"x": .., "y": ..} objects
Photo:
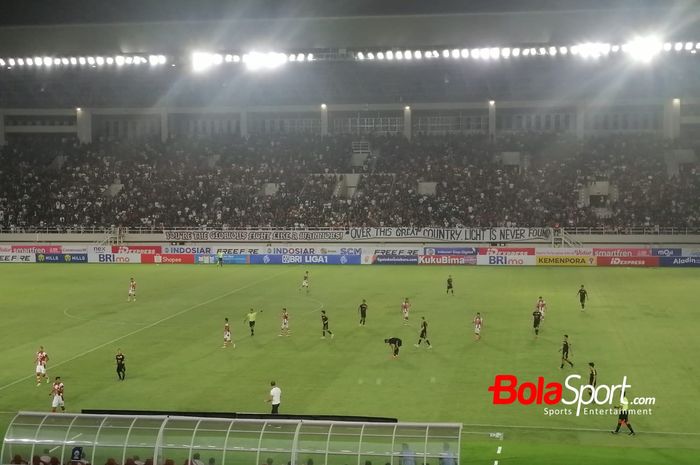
[{"x": 298, "y": 181}]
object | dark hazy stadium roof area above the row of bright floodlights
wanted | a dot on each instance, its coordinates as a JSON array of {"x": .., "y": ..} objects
[{"x": 179, "y": 26}]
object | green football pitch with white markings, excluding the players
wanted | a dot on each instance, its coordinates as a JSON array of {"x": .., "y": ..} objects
[{"x": 639, "y": 323}]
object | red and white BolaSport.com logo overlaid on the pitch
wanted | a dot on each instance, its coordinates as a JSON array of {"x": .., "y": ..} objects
[{"x": 572, "y": 392}]
